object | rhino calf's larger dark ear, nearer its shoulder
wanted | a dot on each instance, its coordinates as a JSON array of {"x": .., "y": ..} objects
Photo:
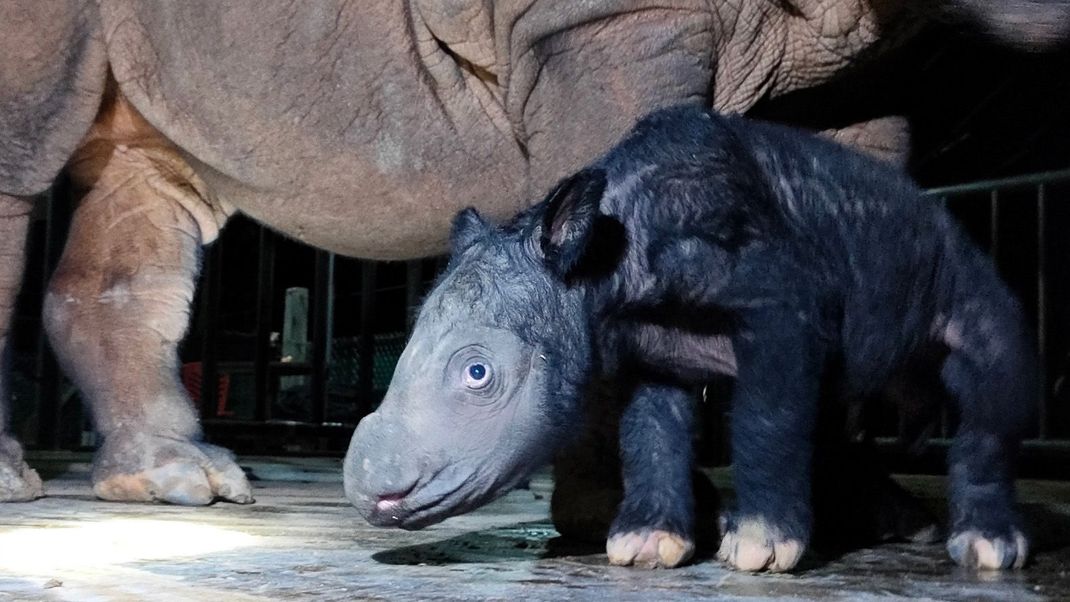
[{"x": 572, "y": 210}]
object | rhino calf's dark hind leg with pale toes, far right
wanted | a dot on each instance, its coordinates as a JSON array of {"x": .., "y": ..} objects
[{"x": 991, "y": 375}]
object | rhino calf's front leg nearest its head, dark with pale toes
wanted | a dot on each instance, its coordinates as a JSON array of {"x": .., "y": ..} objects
[{"x": 655, "y": 523}]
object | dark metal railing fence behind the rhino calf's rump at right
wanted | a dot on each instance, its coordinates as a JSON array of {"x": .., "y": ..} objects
[{"x": 1022, "y": 222}]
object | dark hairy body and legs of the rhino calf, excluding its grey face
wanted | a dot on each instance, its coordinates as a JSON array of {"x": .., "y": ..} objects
[{"x": 705, "y": 245}]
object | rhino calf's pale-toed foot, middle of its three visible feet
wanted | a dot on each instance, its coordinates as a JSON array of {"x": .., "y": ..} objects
[{"x": 755, "y": 545}]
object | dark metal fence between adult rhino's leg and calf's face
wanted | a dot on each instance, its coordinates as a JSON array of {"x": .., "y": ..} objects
[{"x": 312, "y": 404}]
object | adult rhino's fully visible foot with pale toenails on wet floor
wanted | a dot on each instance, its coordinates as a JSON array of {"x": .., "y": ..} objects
[{"x": 134, "y": 467}]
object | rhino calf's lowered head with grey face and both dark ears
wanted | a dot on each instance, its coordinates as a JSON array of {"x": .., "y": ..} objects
[{"x": 490, "y": 385}]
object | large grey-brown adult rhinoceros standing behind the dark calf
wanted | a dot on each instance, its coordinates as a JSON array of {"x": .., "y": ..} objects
[{"x": 357, "y": 127}]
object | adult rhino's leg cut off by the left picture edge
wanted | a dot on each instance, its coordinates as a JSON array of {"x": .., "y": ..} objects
[{"x": 19, "y": 483}]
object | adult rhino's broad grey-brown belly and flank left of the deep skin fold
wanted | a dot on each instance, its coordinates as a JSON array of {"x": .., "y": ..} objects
[{"x": 325, "y": 127}]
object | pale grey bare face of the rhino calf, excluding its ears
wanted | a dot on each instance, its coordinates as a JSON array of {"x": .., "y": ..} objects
[{"x": 468, "y": 413}]
